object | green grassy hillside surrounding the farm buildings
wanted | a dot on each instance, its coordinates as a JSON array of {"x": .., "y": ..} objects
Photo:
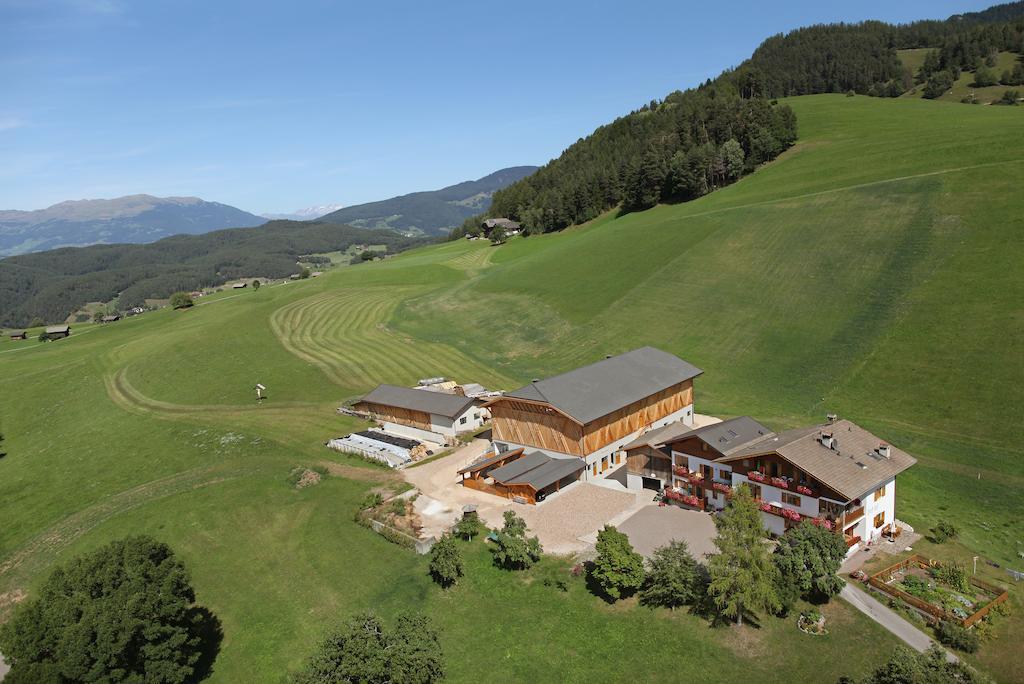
[{"x": 873, "y": 271}]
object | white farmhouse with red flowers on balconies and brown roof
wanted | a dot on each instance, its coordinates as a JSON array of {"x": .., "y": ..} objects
[{"x": 838, "y": 475}]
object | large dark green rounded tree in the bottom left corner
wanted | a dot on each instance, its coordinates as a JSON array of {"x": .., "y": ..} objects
[{"x": 124, "y": 613}]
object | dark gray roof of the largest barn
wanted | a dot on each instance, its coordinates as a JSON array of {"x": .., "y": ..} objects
[{"x": 592, "y": 392}]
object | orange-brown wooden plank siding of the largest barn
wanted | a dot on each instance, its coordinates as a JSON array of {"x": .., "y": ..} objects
[{"x": 541, "y": 426}]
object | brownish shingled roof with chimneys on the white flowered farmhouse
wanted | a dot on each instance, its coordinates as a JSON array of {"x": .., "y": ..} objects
[{"x": 852, "y": 468}]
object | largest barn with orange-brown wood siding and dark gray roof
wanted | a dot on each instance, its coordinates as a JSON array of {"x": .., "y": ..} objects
[{"x": 589, "y": 414}]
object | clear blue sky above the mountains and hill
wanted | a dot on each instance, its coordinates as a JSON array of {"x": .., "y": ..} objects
[{"x": 273, "y": 108}]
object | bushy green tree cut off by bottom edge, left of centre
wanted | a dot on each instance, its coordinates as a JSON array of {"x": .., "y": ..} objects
[{"x": 362, "y": 651}]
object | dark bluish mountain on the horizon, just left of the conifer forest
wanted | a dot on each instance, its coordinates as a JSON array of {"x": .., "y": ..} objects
[{"x": 432, "y": 212}]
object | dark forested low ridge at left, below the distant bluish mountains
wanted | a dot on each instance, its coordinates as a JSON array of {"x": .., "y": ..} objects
[{"x": 53, "y": 285}]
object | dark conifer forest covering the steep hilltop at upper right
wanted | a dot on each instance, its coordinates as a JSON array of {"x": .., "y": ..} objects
[{"x": 694, "y": 142}]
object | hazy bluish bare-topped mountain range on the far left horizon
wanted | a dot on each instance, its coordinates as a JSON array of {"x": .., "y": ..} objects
[{"x": 137, "y": 219}]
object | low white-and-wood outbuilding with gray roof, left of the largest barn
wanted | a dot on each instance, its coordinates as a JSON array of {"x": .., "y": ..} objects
[{"x": 418, "y": 414}]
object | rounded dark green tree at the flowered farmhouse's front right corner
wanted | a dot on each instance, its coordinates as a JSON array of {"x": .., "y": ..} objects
[{"x": 808, "y": 559}]
